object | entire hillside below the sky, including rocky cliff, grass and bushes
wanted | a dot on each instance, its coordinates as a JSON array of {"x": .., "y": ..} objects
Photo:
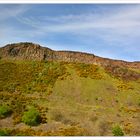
[{"x": 63, "y": 93}]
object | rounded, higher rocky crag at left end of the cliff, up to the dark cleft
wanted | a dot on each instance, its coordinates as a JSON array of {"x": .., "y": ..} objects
[{"x": 23, "y": 51}]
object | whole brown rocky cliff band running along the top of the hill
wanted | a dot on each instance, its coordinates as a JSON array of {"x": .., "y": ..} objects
[{"x": 30, "y": 51}]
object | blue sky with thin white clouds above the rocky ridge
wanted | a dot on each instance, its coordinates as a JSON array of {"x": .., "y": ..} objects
[{"x": 106, "y": 30}]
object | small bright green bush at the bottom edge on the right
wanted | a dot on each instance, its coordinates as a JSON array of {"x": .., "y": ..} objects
[{"x": 117, "y": 131}]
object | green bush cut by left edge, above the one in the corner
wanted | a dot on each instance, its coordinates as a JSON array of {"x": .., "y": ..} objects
[{"x": 4, "y": 111}]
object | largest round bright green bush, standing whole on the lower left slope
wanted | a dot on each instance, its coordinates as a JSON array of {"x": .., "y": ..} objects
[{"x": 31, "y": 117}]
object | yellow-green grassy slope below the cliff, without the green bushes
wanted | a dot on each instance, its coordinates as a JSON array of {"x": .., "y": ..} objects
[{"x": 73, "y": 99}]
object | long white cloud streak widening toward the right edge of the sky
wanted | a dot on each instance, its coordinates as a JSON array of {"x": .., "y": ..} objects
[{"x": 124, "y": 18}]
